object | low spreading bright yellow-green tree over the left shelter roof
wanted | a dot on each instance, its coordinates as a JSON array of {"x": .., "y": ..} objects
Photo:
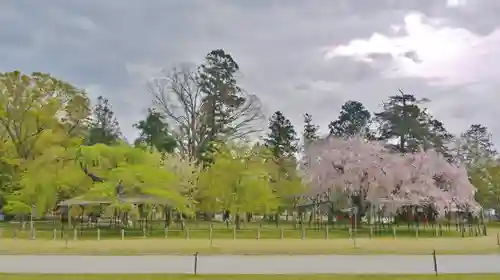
[{"x": 138, "y": 172}]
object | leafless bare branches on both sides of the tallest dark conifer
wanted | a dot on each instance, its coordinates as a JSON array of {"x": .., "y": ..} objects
[{"x": 177, "y": 95}]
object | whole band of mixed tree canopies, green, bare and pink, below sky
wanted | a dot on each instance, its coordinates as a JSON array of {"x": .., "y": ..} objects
[{"x": 199, "y": 148}]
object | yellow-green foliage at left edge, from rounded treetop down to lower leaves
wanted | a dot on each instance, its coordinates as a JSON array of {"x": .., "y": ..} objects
[{"x": 37, "y": 115}]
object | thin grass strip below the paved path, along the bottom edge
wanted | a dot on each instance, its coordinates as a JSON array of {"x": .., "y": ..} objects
[{"x": 243, "y": 277}]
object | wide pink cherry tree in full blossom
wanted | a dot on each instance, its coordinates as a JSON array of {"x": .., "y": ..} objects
[{"x": 368, "y": 174}]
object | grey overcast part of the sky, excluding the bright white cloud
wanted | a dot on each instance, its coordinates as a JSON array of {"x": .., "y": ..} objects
[{"x": 279, "y": 46}]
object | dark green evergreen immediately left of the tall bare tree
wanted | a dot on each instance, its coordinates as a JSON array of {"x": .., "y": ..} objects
[{"x": 155, "y": 132}]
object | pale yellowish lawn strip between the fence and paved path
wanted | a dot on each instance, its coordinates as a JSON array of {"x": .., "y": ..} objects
[{"x": 473, "y": 245}]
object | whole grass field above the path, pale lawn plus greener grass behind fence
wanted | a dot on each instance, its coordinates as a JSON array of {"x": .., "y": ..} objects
[{"x": 252, "y": 239}]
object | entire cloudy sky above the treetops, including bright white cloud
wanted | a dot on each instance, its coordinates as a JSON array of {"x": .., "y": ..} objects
[{"x": 297, "y": 56}]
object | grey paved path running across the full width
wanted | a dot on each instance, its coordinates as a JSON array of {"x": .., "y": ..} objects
[{"x": 249, "y": 264}]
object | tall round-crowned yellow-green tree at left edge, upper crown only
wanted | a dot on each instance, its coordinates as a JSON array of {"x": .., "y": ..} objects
[{"x": 32, "y": 105}]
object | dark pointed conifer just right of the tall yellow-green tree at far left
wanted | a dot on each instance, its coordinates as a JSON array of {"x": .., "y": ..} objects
[{"x": 104, "y": 127}]
